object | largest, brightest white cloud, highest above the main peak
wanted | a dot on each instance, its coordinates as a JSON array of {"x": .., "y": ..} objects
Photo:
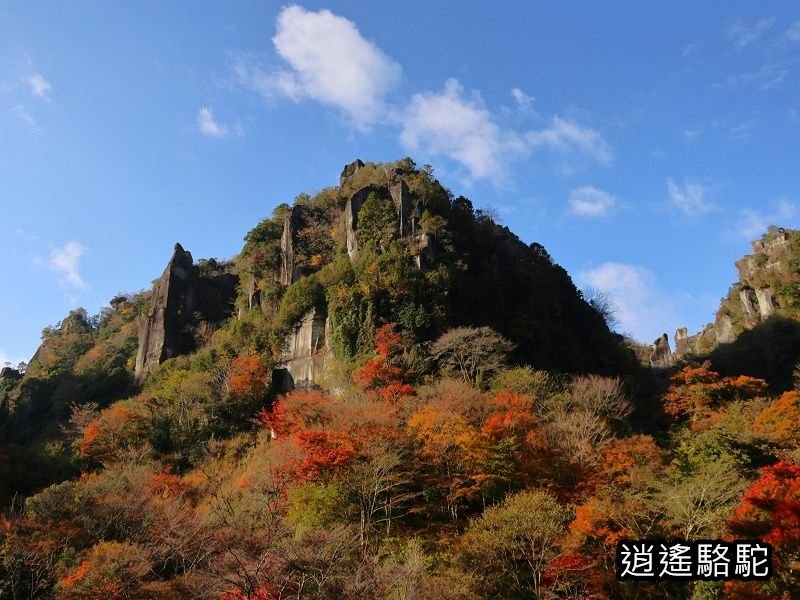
[{"x": 330, "y": 62}]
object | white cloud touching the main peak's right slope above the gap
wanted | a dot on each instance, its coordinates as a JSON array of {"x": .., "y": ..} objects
[{"x": 641, "y": 309}]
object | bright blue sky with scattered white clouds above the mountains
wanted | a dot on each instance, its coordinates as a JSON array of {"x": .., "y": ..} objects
[{"x": 643, "y": 146}]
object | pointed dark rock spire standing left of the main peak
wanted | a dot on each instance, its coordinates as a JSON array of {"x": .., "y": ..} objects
[{"x": 182, "y": 298}]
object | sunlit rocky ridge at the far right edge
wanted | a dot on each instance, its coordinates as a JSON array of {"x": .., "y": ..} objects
[{"x": 751, "y": 300}]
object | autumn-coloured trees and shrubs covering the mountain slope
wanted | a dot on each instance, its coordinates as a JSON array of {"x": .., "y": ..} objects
[{"x": 479, "y": 433}]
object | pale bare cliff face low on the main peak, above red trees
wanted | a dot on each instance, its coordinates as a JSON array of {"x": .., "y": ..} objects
[{"x": 304, "y": 353}]
